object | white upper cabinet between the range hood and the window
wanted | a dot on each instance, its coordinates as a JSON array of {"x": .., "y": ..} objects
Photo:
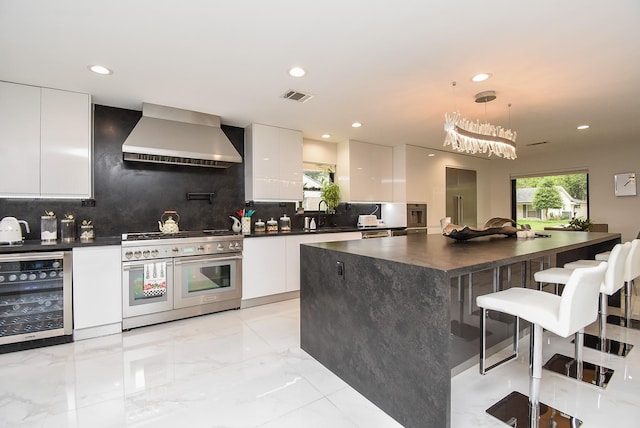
[{"x": 273, "y": 163}]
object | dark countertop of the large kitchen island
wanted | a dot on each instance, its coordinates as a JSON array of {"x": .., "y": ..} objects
[{"x": 460, "y": 257}]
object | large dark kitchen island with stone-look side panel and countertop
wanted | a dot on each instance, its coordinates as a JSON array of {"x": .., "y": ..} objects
[{"x": 378, "y": 313}]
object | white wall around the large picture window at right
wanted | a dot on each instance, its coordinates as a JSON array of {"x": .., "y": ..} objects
[{"x": 621, "y": 213}]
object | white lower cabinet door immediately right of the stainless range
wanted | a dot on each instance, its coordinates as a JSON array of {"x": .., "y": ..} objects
[{"x": 263, "y": 267}]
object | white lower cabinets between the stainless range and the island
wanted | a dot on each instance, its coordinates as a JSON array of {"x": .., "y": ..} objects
[{"x": 271, "y": 264}]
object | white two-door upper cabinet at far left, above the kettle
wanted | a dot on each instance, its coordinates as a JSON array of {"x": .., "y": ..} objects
[{"x": 45, "y": 142}]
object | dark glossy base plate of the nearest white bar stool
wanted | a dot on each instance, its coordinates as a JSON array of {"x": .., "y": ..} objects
[{"x": 513, "y": 410}]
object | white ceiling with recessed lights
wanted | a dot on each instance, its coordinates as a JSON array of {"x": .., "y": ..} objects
[{"x": 388, "y": 64}]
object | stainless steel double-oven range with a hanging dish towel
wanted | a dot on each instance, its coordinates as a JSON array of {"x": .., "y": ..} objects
[{"x": 166, "y": 277}]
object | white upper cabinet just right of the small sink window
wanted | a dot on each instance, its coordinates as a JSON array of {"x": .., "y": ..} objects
[{"x": 365, "y": 172}]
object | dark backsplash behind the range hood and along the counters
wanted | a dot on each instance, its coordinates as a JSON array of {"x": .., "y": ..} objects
[{"x": 131, "y": 196}]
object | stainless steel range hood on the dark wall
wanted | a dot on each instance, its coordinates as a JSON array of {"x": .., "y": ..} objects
[{"x": 173, "y": 136}]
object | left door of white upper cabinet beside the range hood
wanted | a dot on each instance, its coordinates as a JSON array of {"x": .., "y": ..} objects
[{"x": 266, "y": 165}]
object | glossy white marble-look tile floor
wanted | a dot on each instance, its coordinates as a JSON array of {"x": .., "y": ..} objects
[{"x": 245, "y": 369}]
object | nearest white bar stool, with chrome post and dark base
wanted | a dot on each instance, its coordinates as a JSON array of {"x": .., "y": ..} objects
[{"x": 562, "y": 315}]
